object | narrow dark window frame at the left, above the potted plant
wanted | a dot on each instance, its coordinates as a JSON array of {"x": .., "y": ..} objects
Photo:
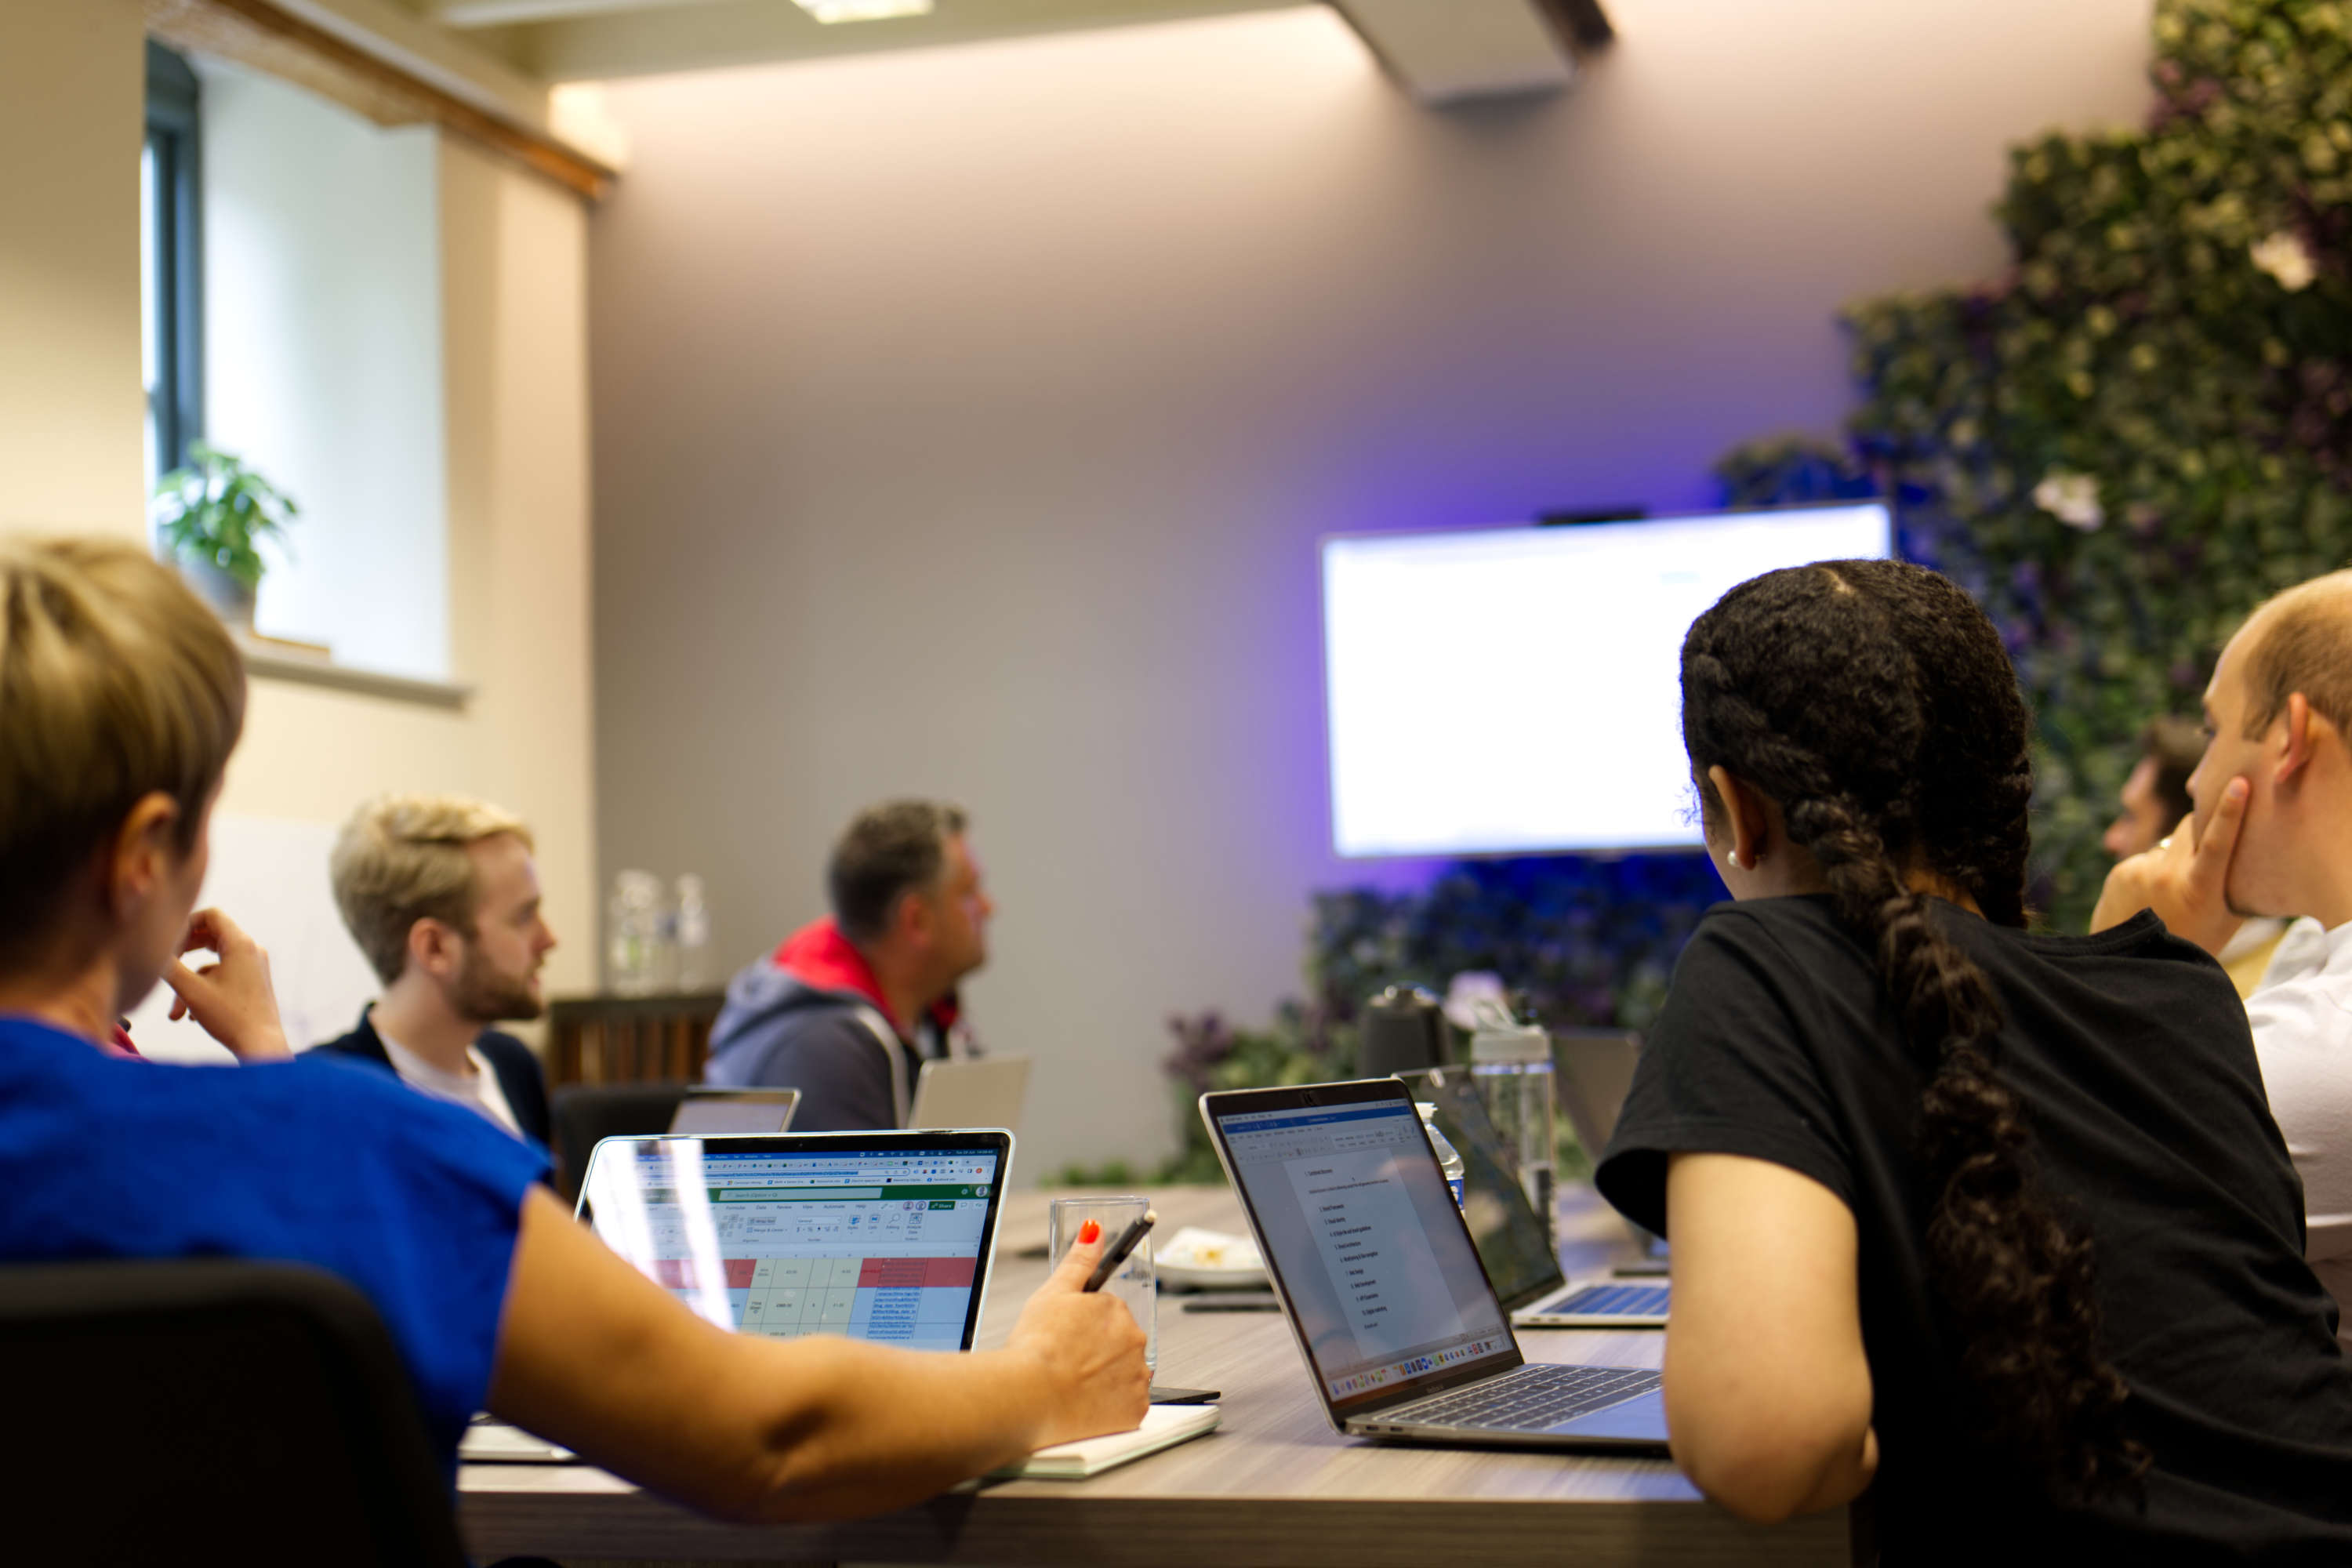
[{"x": 178, "y": 304}]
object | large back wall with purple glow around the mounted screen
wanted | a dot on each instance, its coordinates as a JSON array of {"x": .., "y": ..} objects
[{"x": 968, "y": 420}]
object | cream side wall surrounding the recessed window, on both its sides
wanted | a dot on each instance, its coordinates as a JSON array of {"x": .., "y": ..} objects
[{"x": 514, "y": 351}]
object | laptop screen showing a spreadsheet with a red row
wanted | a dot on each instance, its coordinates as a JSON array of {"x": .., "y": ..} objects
[{"x": 871, "y": 1235}]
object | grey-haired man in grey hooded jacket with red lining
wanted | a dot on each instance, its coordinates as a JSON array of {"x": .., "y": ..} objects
[{"x": 850, "y": 1007}]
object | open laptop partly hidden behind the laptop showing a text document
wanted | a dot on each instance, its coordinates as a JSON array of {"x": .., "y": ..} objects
[{"x": 1511, "y": 1238}]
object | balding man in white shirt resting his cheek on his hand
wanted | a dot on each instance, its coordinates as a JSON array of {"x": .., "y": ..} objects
[{"x": 2273, "y": 836}]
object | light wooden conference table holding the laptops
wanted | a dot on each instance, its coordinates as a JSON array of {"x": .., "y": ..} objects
[{"x": 1271, "y": 1489}]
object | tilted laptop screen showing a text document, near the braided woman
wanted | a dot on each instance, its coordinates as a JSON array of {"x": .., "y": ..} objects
[{"x": 1361, "y": 1228}]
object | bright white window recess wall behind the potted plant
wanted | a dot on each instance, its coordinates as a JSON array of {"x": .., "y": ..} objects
[{"x": 326, "y": 361}]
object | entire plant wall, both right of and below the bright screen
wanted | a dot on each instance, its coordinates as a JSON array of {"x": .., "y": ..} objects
[{"x": 2120, "y": 445}]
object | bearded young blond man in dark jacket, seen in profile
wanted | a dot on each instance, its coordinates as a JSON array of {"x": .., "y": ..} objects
[{"x": 443, "y": 899}]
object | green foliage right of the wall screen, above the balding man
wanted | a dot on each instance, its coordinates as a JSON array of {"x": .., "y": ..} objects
[{"x": 2146, "y": 427}]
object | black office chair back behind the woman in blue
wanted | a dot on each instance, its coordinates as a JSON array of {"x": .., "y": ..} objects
[{"x": 213, "y": 1412}]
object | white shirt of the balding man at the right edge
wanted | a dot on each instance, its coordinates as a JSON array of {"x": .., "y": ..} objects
[{"x": 2304, "y": 1040}]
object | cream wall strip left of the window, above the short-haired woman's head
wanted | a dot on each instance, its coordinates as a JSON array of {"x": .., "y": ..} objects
[{"x": 72, "y": 406}]
